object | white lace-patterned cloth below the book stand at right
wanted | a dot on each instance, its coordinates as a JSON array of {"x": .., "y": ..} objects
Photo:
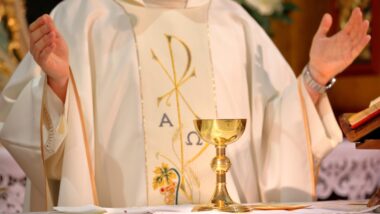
[{"x": 349, "y": 173}]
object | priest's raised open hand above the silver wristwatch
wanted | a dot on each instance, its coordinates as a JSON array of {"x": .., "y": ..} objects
[{"x": 329, "y": 56}]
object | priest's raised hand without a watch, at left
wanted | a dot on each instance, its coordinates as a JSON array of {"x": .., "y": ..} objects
[{"x": 50, "y": 51}]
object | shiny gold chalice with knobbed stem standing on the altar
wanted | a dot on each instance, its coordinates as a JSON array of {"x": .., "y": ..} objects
[{"x": 220, "y": 133}]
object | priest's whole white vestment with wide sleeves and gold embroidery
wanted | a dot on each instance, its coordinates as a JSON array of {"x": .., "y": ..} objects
[{"x": 140, "y": 75}]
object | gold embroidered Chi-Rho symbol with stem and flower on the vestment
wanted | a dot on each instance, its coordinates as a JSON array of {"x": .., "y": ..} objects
[{"x": 178, "y": 79}]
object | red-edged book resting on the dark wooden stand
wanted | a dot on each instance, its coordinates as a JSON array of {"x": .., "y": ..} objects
[{"x": 365, "y": 115}]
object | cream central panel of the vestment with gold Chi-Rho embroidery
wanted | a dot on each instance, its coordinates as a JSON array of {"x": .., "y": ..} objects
[{"x": 177, "y": 86}]
